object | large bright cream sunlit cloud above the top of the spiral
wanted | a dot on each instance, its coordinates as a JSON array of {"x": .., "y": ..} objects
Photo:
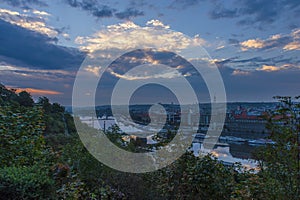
[{"x": 130, "y": 35}]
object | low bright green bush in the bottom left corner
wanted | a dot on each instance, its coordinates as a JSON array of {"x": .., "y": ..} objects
[{"x": 25, "y": 183}]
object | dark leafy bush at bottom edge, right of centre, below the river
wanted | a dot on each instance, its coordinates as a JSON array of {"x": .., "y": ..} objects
[{"x": 192, "y": 177}]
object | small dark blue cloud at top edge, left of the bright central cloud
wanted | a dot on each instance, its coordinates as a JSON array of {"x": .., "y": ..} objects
[{"x": 97, "y": 9}]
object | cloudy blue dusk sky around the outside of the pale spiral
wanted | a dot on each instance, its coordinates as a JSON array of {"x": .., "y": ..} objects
[{"x": 255, "y": 44}]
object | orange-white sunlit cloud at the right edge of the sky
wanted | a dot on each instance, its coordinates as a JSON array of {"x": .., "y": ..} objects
[{"x": 286, "y": 42}]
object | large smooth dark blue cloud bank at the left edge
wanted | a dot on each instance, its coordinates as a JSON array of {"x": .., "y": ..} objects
[{"x": 29, "y": 48}]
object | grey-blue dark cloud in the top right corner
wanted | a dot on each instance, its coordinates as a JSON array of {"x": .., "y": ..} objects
[{"x": 248, "y": 12}]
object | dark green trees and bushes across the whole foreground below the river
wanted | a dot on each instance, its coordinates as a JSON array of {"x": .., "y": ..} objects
[{"x": 30, "y": 169}]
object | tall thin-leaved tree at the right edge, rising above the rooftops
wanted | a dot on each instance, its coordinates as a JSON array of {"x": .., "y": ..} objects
[{"x": 279, "y": 162}]
